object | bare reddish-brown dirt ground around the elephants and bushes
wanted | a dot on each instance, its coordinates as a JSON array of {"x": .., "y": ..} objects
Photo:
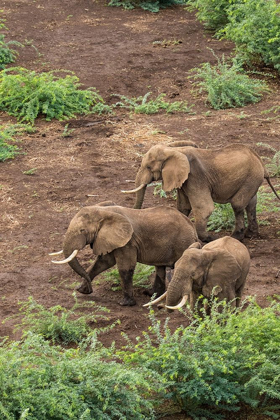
[{"x": 118, "y": 52}]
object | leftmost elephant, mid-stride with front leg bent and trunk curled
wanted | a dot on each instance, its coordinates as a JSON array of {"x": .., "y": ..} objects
[{"x": 123, "y": 236}]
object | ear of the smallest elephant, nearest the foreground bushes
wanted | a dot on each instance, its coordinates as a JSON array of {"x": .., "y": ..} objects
[{"x": 223, "y": 269}]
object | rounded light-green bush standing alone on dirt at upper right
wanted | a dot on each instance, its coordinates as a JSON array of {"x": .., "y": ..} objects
[{"x": 227, "y": 86}]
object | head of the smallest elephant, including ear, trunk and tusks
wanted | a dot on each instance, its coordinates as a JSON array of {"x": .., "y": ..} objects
[{"x": 201, "y": 271}]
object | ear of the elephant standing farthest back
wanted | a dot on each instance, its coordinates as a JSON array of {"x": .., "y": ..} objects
[{"x": 175, "y": 171}]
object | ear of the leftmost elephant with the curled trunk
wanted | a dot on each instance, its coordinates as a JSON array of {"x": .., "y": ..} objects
[{"x": 114, "y": 231}]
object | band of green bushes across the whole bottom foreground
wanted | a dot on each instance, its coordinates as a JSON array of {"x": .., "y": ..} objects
[{"x": 207, "y": 368}]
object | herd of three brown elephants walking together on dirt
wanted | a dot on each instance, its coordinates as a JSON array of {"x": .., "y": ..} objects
[{"x": 164, "y": 237}]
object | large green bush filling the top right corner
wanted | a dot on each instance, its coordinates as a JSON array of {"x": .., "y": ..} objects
[{"x": 253, "y": 25}]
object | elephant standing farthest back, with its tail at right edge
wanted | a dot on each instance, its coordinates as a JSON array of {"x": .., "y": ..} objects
[{"x": 231, "y": 174}]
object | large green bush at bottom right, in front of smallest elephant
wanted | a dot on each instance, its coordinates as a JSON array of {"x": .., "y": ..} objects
[{"x": 218, "y": 362}]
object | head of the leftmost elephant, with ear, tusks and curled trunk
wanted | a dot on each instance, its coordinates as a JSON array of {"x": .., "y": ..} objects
[{"x": 101, "y": 228}]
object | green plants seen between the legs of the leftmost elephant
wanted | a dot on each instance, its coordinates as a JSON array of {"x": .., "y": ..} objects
[{"x": 141, "y": 276}]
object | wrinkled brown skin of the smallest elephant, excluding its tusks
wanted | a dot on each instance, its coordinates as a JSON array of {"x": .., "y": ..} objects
[{"x": 222, "y": 264}]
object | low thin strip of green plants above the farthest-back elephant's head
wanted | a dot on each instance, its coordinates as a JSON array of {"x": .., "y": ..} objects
[{"x": 142, "y": 105}]
